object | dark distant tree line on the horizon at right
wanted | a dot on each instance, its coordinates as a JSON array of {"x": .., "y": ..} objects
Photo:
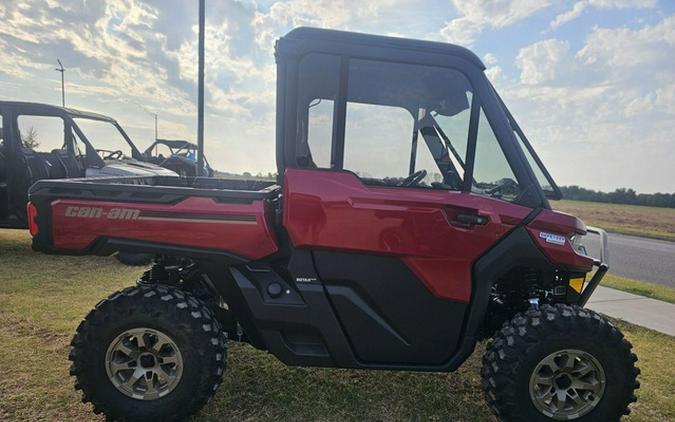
[{"x": 619, "y": 196}]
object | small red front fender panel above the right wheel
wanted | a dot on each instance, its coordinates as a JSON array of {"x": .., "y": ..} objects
[{"x": 564, "y": 225}]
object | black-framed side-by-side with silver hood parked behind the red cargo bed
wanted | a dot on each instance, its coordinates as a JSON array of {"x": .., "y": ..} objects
[{"x": 42, "y": 141}]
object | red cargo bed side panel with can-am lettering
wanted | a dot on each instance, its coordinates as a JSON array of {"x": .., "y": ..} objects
[{"x": 240, "y": 229}]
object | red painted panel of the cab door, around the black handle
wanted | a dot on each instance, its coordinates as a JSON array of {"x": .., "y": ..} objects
[{"x": 333, "y": 209}]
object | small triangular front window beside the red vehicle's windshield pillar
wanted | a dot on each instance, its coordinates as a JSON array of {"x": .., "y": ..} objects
[{"x": 492, "y": 174}]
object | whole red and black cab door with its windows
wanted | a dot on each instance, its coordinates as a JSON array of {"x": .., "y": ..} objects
[{"x": 397, "y": 184}]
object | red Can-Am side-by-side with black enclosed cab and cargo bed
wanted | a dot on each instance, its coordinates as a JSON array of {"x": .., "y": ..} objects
[{"x": 409, "y": 221}]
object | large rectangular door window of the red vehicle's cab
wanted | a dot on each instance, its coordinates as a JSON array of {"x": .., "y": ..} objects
[{"x": 393, "y": 130}]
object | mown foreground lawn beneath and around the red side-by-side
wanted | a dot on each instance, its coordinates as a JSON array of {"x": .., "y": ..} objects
[{"x": 43, "y": 298}]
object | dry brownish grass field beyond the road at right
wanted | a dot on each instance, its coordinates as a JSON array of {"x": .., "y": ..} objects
[{"x": 637, "y": 220}]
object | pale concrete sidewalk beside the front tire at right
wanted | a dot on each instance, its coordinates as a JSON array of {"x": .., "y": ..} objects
[{"x": 639, "y": 310}]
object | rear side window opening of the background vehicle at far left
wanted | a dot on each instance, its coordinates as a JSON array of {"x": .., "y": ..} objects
[{"x": 42, "y": 133}]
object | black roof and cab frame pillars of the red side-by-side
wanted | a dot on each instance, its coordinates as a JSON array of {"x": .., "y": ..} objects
[{"x": 349, "y": 47}]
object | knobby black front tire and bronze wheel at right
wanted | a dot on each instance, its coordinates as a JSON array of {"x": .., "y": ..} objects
[{"x": 554, "y": 334}]
